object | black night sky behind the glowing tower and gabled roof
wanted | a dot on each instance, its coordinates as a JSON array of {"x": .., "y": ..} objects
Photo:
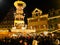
[{"x": 44, "y": 5}]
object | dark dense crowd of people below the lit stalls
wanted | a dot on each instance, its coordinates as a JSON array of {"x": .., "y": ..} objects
[{"x": 30, "y": 39}]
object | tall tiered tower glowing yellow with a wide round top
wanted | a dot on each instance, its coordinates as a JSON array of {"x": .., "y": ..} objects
[{"x": 19, "y": 14}]
